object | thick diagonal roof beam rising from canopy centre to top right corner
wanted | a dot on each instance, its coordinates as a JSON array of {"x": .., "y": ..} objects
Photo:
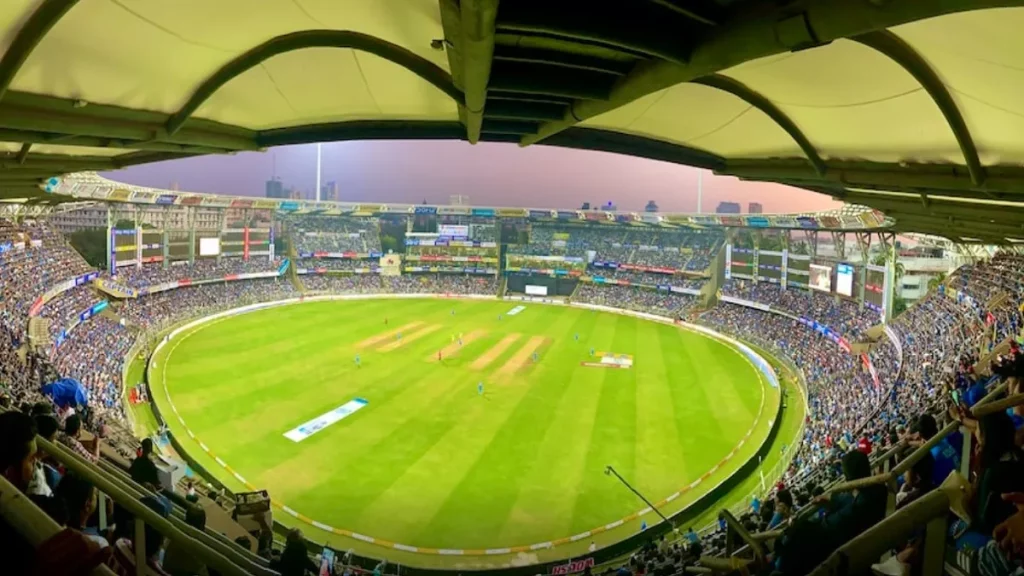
[{"x": 759, "y": 33}]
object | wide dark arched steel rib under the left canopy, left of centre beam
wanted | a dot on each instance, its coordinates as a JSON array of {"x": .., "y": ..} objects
[{"x": 315, "y": 39}]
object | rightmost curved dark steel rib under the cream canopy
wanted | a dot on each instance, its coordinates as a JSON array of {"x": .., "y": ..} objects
[{"x": 900, "y": 52}]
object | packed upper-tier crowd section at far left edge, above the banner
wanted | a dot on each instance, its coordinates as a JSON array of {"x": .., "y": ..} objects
[{"x": 35, "y": 258}]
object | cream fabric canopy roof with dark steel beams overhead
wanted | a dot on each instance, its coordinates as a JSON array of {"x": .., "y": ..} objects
[{"x": 907, "y": 107}]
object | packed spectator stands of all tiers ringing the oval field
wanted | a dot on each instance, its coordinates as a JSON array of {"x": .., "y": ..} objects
[{"x": 864, "y": 428}]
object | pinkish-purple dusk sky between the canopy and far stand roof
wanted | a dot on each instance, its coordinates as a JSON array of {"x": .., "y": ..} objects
[{"x": 497, "y": 175}]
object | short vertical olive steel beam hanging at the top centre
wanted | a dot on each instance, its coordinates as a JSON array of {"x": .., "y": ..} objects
[{"x": 478, "y": 53}]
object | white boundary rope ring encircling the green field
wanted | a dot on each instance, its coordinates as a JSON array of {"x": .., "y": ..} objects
[{"x": 212, "y": 320}]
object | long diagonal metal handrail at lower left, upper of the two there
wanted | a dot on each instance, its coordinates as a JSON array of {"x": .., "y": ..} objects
[{"x": 207, "y": 554}]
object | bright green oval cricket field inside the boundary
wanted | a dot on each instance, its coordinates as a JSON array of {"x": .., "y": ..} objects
[{"x": 429, "y": 462}]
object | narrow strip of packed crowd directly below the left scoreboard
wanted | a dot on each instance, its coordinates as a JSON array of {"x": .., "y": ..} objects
[{"x": 207, "y": 269}]
